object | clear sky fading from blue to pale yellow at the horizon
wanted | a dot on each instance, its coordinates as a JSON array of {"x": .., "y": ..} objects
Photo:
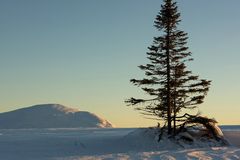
[{"x": 82, "y": 53}]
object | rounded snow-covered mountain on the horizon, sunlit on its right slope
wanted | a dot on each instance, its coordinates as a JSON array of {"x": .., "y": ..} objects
[{"x": 51, "y": 116}]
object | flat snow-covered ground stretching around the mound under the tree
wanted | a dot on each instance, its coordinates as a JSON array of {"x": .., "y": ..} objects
[{"x": 108, "y": 143}]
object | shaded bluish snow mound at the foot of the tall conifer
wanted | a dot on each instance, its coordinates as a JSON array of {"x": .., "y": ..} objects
[{"x": 149, "y": 138}]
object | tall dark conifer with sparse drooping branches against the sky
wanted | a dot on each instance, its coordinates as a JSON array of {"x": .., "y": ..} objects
[{"x": 171, "y": 86}]
